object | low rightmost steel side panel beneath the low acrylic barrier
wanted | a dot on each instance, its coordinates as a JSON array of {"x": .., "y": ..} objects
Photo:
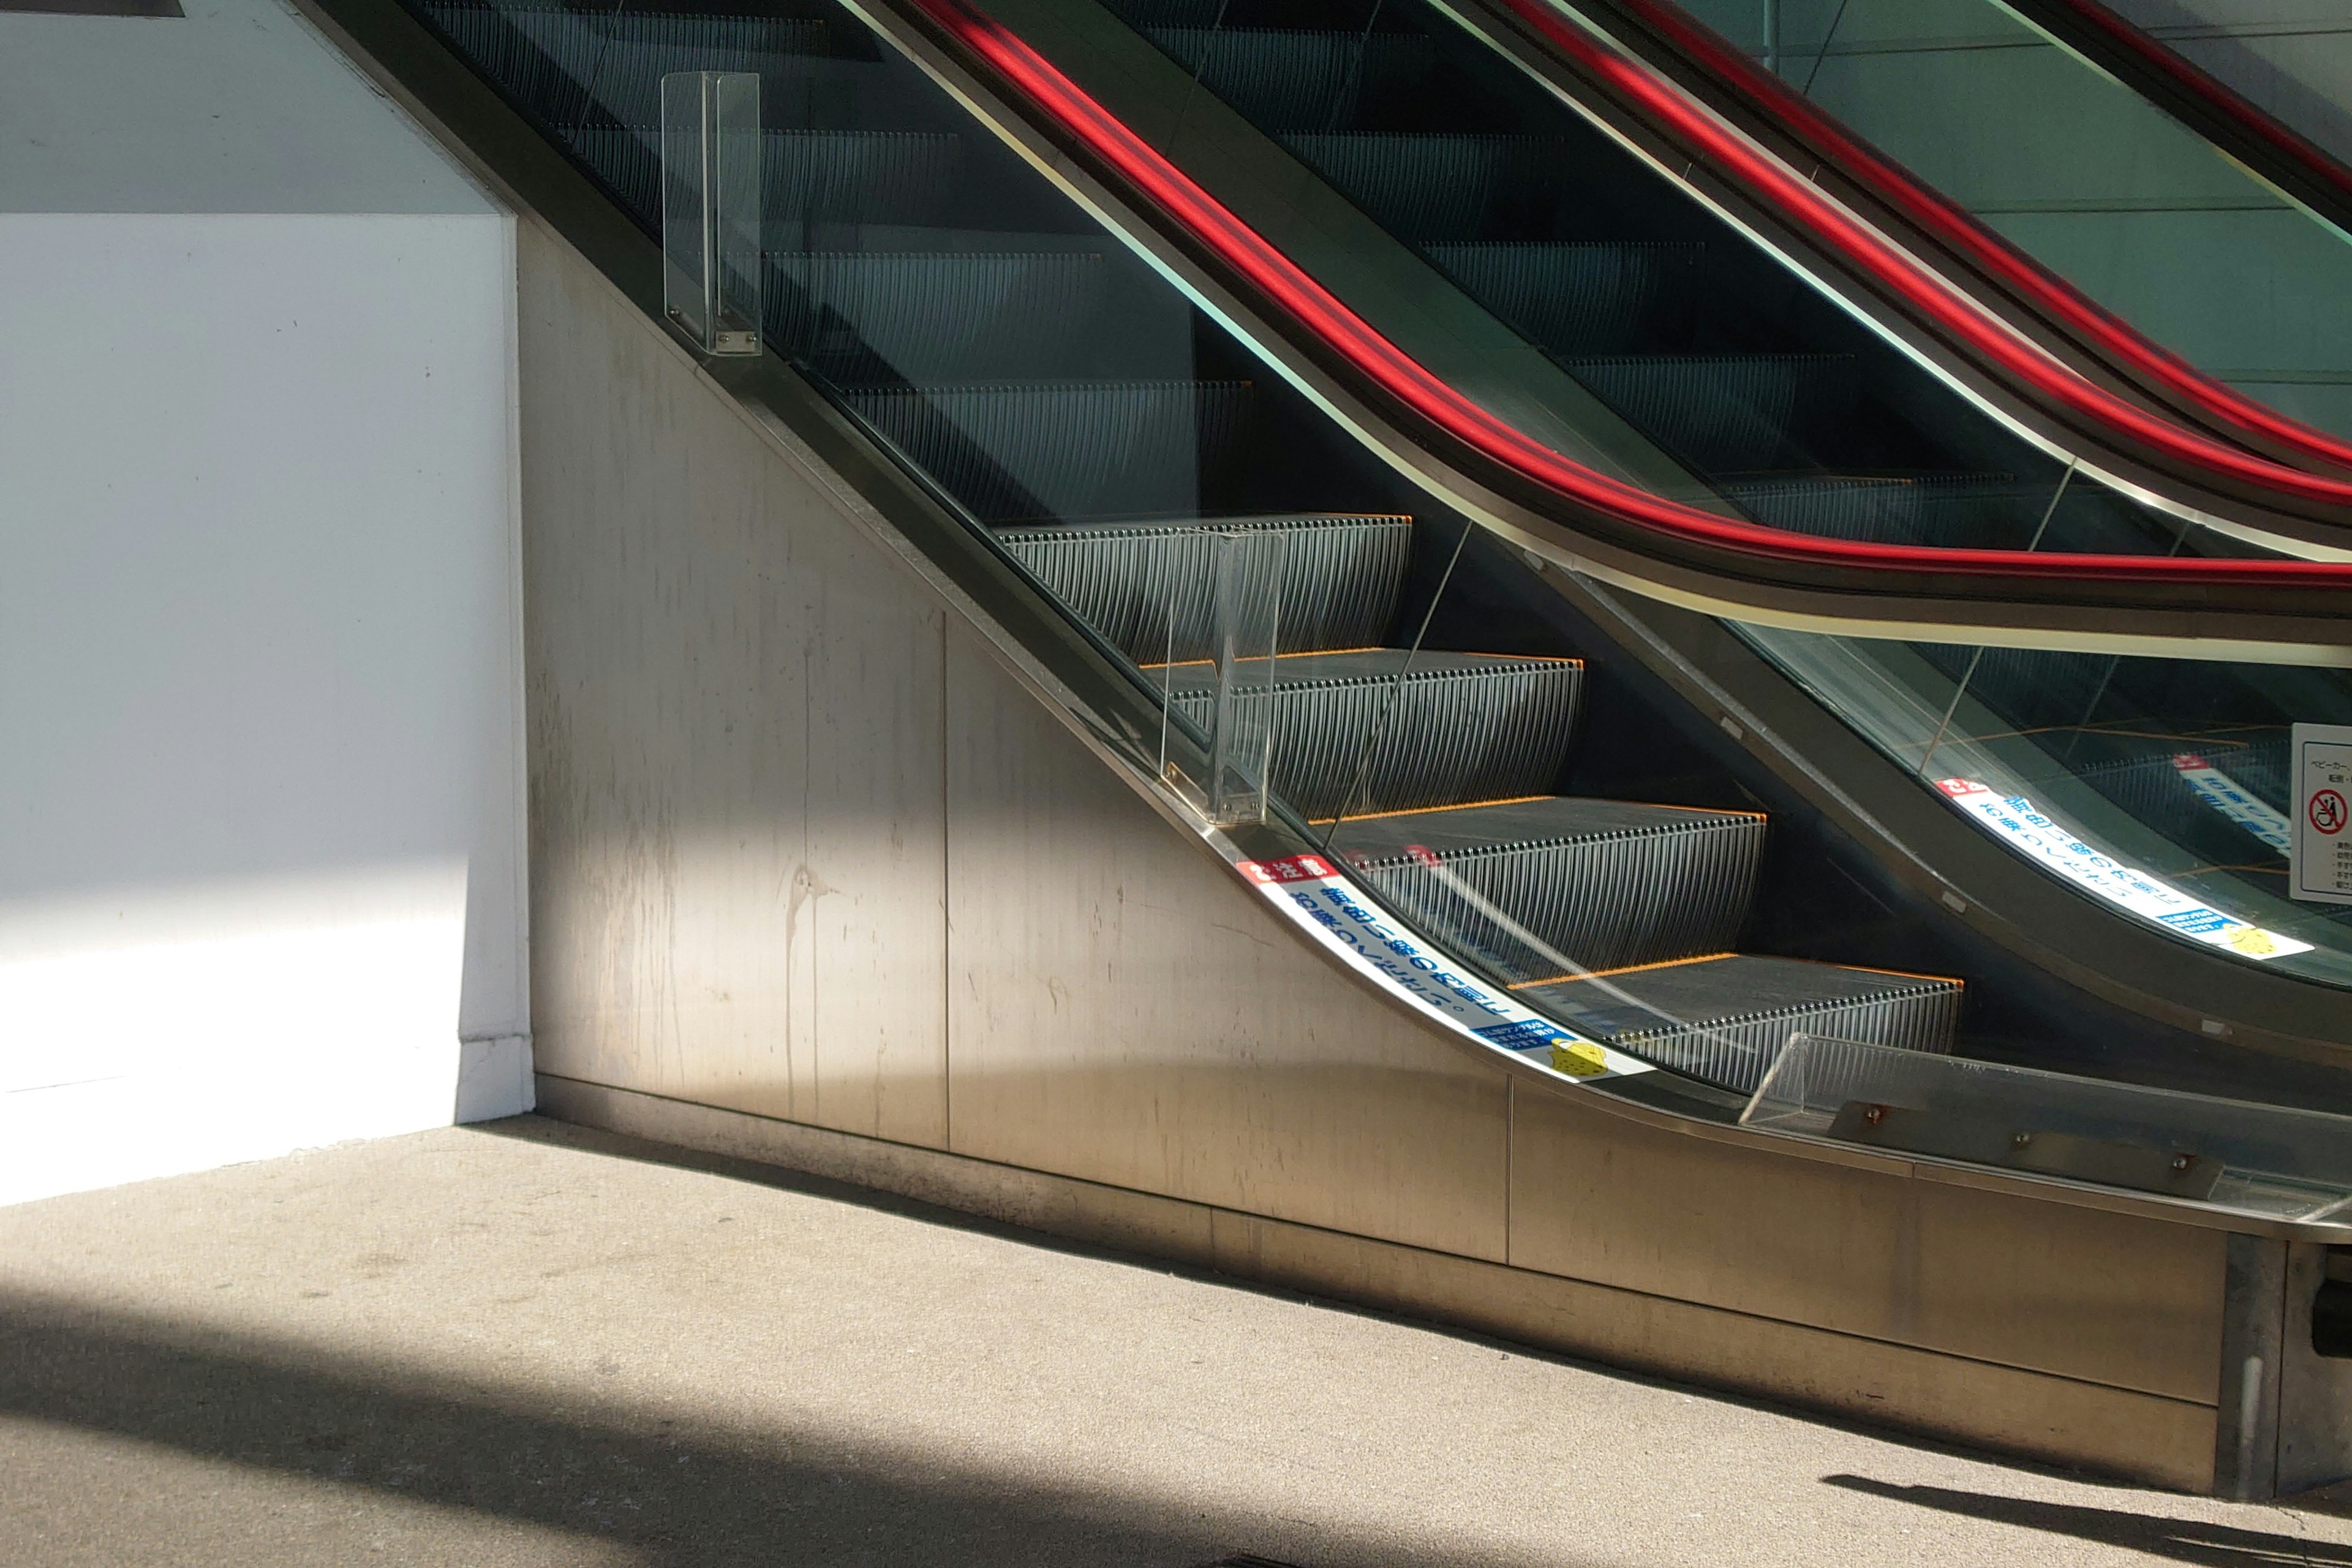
[{"x": 2113, "y": 1299}]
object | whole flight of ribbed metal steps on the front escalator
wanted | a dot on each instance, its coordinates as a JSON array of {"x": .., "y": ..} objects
[{"x": 1109, "y": 436}]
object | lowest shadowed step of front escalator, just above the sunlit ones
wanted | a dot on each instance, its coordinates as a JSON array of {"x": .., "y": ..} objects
[{"x": 1064, "y": 450}]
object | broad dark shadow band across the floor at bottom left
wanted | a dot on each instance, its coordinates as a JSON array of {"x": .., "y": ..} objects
[{"x": 664, "y": 1489}]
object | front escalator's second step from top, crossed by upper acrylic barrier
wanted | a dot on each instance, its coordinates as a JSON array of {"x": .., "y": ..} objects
[{"x": 808, "y": 177}]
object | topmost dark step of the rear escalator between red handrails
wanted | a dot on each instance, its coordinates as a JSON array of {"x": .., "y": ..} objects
[{"x": 1299, "y": 81}]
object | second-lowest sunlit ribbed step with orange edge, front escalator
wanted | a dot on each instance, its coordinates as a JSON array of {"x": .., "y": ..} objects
[{"x": 1537, "y": 887}]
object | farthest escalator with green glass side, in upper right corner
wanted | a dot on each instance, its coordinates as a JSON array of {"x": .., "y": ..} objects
[{"x": 2069, "y": 161}]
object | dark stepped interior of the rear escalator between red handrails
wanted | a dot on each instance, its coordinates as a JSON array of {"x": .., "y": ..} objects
[{"x": 1728, "y": 361}]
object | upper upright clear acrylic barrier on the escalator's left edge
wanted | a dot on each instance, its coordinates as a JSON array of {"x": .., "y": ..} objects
[{"x": 711, "y": 208}]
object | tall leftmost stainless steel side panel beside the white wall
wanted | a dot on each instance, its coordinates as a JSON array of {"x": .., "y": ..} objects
[{"x": 735, "y": 704}]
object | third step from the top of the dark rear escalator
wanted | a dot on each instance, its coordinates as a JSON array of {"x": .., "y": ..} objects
[{"x": 1579, "y": 300}]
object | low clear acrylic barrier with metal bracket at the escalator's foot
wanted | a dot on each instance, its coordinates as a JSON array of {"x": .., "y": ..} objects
[{"x": 2257, "y": 1160}]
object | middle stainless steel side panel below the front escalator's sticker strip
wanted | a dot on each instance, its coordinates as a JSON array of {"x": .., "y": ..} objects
[{"x": 1123, "y": 1010}]
